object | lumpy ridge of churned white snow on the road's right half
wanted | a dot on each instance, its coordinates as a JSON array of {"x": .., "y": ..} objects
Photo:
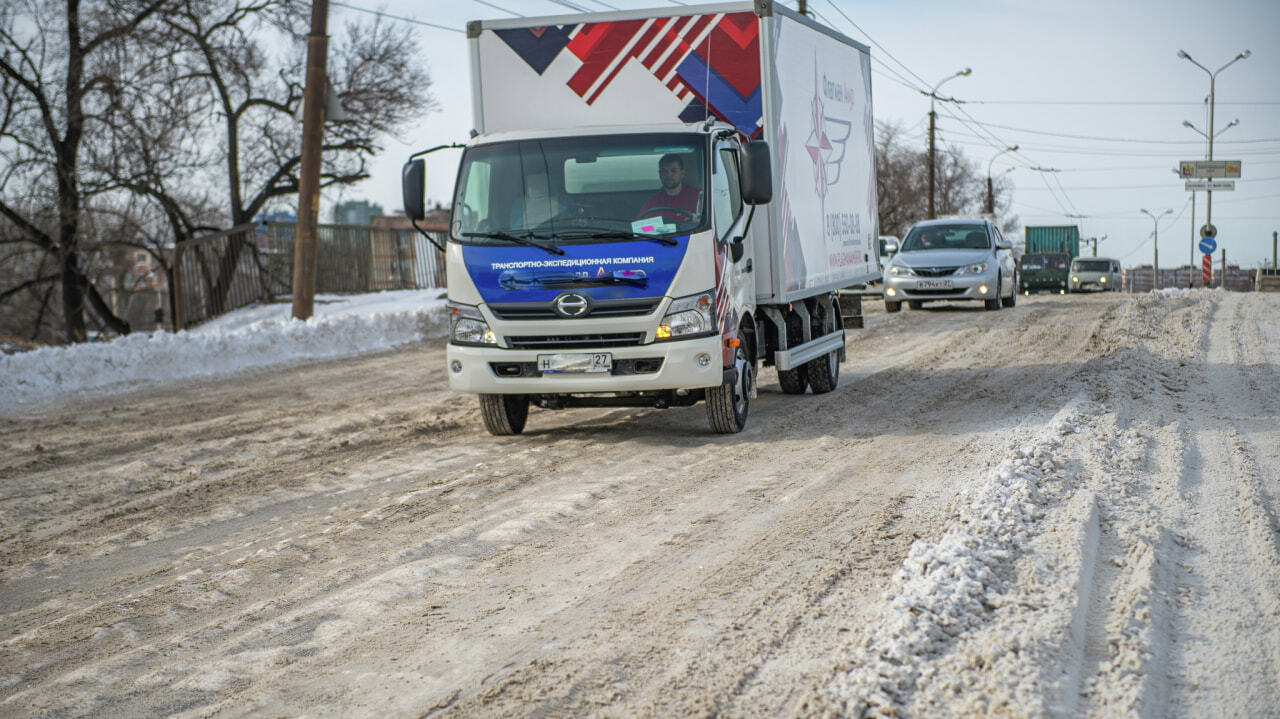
[{"x": 953, "y": 587}]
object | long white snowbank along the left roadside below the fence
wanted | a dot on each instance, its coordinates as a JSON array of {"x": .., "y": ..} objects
[{"x": 255, "y": 337}]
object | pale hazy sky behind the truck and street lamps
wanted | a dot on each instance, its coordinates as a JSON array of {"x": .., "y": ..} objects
[{"x": 1092, "y": 89}]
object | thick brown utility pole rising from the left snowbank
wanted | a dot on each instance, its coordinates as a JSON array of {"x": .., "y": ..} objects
[{"x": 309, "y": 171}]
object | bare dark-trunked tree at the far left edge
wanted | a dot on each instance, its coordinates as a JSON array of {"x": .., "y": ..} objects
[{"x": 57, "y": 62}]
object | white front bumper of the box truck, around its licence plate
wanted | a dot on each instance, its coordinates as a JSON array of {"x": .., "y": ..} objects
[{"x": 691, "y": 364}]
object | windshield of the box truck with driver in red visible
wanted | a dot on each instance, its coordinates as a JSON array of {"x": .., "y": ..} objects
[{"x": 582, "y": 190}]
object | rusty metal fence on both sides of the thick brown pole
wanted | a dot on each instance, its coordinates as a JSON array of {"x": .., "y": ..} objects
[{"x": 248, "y": 264}]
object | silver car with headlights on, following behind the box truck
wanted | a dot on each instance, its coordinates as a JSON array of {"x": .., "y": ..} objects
[{"x": 950, "y": 260}]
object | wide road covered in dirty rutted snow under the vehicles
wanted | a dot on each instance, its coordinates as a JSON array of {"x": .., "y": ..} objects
[{"x": 1067, "y": 509}]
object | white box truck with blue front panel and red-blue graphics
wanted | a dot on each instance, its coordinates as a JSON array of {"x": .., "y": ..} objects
[{"x": 655, "y": 204}]
